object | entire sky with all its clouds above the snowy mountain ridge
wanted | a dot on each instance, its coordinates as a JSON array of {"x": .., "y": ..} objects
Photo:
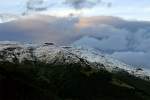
[{"x": 119, "y": 28}]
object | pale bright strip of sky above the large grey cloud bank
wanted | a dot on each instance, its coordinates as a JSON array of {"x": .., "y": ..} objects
[{"x": 127, "y": 9}]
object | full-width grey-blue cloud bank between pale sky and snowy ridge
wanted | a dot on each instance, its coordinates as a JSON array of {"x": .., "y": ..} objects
[{"x": 127, "y": 41}]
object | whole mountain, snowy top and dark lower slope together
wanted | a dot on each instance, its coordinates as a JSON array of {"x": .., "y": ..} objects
[{"x": 49, "y": 72}]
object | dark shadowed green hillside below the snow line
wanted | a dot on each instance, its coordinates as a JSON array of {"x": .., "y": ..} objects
[{"x": 40, "y": 81}]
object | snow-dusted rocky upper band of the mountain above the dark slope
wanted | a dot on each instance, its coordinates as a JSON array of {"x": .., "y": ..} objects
[{"x": 49, "y": 53}]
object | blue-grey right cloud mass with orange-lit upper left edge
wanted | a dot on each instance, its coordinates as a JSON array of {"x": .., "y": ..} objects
[{"x": 127, "y": 41}]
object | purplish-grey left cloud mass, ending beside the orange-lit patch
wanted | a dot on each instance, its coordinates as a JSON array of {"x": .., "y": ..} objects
[{"x": 41, "y": 29}]
